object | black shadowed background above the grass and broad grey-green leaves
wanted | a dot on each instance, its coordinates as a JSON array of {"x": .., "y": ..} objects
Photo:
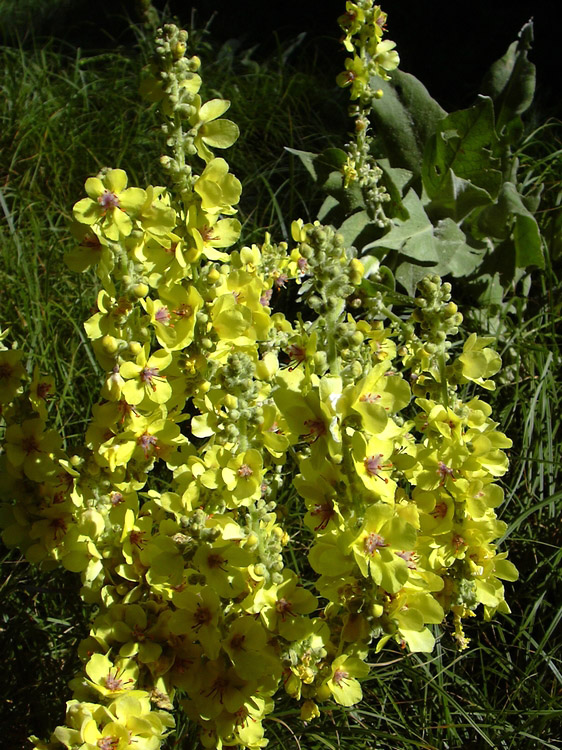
[{"x": 448, "y": 46}]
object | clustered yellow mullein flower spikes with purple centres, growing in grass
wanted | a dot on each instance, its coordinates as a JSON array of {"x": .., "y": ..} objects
[{"x": 217, "y": 412}]
